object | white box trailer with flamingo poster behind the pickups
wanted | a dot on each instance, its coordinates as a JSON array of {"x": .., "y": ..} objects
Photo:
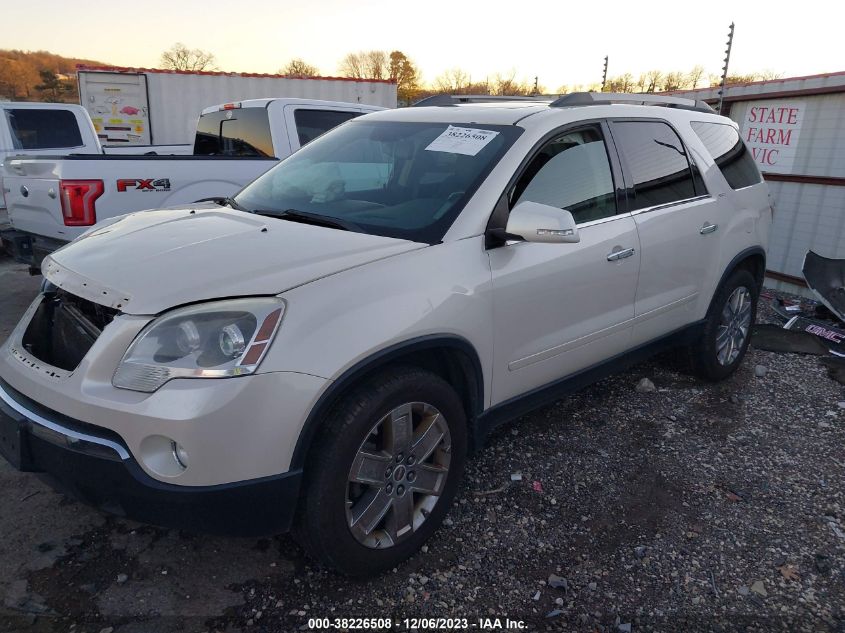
[{"x": 141, "y": 106}]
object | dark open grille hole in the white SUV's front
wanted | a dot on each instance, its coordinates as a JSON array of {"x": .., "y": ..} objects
[{"x": 64, "y": 327}]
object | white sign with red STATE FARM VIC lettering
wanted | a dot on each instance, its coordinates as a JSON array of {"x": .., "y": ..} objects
[{"x": 771, "y": 130}]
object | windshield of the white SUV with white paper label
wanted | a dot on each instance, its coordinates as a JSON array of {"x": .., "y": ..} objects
[{"x": 398, "y": 179}]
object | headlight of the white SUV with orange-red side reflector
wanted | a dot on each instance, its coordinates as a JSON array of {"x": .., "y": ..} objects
[{"x": 210, "y": 340}]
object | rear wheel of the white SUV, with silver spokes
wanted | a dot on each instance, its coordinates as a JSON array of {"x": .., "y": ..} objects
[{"x": 727, "y": 328}]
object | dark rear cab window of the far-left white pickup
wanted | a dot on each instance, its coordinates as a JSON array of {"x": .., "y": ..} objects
[{"x": 43, "y": 129}]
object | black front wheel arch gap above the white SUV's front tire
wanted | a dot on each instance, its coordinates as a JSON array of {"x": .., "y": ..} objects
[{"x": 451, "y": 357}]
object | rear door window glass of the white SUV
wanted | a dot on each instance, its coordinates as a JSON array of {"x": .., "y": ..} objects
[{"x": 657, "y": 163}]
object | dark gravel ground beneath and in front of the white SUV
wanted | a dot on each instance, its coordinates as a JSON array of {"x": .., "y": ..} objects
[{"x": 689, "y": 507}]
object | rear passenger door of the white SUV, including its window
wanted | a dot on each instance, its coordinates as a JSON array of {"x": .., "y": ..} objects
[{"x": 677, "y": 221}]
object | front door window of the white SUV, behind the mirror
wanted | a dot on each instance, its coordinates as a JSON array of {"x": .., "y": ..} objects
[{"x": 571, "y": 172}]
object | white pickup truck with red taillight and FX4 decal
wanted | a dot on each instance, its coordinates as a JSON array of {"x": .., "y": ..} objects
[{"x": 53, "y": 199}]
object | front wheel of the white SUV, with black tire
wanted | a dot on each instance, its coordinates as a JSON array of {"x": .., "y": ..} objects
[{"x": 384, "y": 473}]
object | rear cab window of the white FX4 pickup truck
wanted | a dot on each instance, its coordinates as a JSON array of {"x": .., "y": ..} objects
[{"x": 236, "y": 132}]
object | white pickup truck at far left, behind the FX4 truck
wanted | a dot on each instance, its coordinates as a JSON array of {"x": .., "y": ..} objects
[{"x": 58, "y": 129}]
